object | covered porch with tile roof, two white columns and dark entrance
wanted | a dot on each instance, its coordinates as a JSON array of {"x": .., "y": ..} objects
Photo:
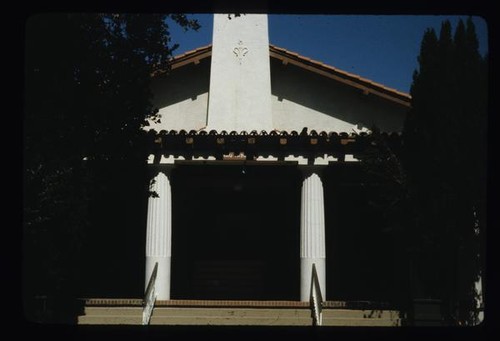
[{"x": 248, "y": 221}]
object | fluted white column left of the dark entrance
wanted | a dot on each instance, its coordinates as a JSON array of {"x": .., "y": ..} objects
[{"x": 159, "y": 234}]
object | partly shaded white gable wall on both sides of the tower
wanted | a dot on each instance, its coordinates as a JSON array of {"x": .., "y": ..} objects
[{"x": 300, "y": 99}]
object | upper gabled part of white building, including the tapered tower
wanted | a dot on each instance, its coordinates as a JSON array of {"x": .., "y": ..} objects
[{"x": 242, "y": 83}]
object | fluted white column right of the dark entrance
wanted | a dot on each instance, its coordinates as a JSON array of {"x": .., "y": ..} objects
[{"x": 312, "y": 233}]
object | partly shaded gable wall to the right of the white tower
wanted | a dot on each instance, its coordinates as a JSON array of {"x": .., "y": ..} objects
[{"x": 301, "y": 99}]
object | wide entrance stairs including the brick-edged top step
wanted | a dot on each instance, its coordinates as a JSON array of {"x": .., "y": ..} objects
[{"x": 235, "y": 313}]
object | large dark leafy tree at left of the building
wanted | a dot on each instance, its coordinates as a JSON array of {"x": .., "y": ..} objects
[{"x": 87, "y": 97}]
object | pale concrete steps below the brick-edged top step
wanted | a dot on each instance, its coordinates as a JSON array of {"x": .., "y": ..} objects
[{"x": 237, "y": 316}]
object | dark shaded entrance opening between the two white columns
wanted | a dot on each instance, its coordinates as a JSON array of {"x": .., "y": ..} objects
[{"x": 235, "y": 231}]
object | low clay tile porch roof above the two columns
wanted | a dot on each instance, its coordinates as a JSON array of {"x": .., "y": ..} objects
[{"x": 279, "y": 144}]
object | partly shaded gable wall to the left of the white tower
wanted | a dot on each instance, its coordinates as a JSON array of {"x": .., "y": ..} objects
[{"x": 182, "y": 97}]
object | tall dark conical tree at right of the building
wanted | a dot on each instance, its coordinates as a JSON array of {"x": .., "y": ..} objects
[{"x": 444, "y": 157}]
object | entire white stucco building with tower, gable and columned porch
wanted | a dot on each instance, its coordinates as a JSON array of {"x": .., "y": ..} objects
[{"x": 254, "y": 158}]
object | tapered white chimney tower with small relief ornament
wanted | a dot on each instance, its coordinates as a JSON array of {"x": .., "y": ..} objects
[{"x": 240, "y": 79}]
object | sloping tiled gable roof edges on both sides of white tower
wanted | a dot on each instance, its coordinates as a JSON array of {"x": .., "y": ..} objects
[{"x": 367, "y": 86}]
